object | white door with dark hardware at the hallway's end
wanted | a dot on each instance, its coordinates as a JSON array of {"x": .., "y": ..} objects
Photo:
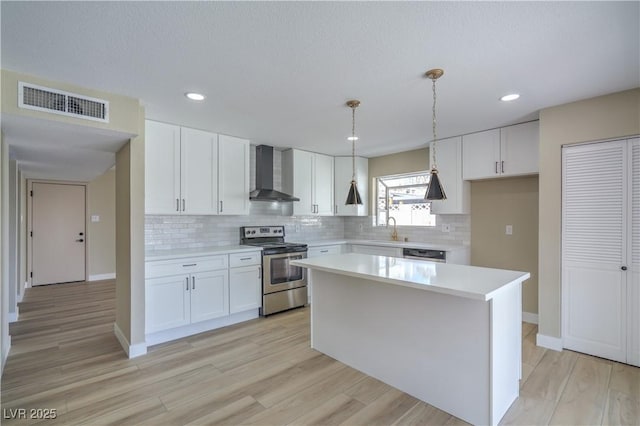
[{"x": 59, "y": 235}]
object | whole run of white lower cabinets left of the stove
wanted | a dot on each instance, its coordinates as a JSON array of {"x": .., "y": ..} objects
[{"x": 191, "y": 295}]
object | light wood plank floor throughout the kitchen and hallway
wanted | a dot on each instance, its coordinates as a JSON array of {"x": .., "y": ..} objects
[{"x": 262, "y": 372}]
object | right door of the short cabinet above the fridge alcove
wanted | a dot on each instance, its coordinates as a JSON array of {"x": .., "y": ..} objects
[{"x": 519, "y": 149}]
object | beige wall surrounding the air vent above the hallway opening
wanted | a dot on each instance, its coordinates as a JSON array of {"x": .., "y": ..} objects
[{"x": 123, "y": 111}]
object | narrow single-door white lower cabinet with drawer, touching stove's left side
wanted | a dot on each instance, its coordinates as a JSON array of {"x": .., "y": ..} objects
[{"x": 245, "y": 289}]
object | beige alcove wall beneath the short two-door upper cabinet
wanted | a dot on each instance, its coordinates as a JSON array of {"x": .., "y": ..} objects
[{"x": 496, "y": 203}]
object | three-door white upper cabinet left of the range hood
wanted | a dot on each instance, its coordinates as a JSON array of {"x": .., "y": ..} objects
[{"x": 189, "y": 171}]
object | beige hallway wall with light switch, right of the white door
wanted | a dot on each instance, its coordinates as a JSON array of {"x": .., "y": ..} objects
[{"x": 101, "y": 239}]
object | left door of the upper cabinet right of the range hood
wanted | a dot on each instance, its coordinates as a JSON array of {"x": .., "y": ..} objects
[{"x": 300, "y": 181}]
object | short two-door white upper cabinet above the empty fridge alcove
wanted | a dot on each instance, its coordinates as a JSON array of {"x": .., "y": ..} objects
[{"x": 509, "y": 151}]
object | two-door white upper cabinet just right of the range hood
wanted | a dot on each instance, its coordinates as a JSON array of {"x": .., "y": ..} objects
[{"x": 308, "y": 176}]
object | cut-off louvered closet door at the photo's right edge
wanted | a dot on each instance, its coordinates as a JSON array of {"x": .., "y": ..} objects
[{"x": 633, "y": 274}]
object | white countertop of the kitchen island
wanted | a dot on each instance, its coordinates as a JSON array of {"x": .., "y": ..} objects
[{"x": 471, "y": 282}]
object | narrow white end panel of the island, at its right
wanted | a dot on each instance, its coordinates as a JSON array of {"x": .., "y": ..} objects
[{"x": 506, "y": 349}]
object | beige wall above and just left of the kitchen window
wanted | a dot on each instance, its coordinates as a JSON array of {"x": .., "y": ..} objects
[{"x": 392, "y": 164}]
